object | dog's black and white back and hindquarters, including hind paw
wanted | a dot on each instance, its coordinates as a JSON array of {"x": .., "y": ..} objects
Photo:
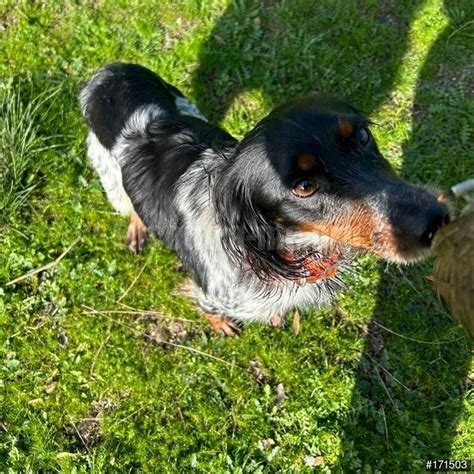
[{"x": 143, "y": 136}]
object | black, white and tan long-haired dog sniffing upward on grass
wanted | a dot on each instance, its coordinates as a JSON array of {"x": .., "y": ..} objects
[{"x": 265, "y": 225}]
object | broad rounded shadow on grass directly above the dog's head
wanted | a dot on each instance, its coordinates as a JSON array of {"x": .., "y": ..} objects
[{"x": 284, "y": 50}]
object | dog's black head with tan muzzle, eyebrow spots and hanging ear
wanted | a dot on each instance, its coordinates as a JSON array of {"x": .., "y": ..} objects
[{"x": 310, "y": 175}]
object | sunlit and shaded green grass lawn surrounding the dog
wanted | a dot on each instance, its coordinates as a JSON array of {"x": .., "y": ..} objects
[{"x": 104, "y": 368}]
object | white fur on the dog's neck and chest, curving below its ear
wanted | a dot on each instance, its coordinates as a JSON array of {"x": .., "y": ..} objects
[{"x": 229, "y": 292}]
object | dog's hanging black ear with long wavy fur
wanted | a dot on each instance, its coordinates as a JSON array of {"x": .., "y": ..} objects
[{"x": 249, "y": 234}]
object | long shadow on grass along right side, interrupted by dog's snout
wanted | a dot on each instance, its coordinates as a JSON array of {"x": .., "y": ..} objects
[{"x": 408, "y": 395}]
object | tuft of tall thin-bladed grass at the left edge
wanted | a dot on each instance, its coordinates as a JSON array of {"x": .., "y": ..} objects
[{"x": 22, "y": 144}]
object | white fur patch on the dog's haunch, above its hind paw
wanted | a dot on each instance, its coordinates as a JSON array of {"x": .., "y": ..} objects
[{"x": 110, "y": 175}]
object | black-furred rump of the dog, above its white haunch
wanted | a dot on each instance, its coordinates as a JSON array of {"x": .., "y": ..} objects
[{"x": 118, "y": 90}]
